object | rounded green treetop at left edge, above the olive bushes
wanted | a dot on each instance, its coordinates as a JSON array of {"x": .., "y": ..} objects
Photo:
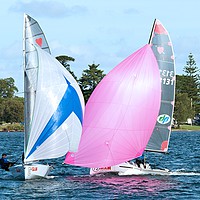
[{"x": 7, "y": 88}]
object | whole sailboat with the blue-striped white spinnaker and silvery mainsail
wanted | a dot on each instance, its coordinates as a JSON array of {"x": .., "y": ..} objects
[{"x": 54, "y": 106}]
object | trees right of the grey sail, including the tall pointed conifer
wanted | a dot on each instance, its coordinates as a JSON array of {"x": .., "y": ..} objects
[{"x": 187, "y": 93}]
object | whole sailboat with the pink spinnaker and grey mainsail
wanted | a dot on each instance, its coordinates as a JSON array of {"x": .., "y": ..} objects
[{"x": 110, "y": 145}]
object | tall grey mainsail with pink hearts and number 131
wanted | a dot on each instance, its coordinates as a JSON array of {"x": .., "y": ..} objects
[{"x": 162, "y": 47}]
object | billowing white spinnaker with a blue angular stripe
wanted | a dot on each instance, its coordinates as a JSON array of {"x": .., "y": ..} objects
[{"x": 58, "y": 111}]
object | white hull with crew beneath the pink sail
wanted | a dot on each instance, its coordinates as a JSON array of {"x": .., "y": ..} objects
[{"x": 128, "y": 168}]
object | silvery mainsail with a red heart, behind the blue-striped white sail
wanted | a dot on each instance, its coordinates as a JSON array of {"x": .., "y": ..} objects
[{"x": 33, "y": 35}]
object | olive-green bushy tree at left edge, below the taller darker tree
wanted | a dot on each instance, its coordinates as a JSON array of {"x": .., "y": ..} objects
[{"x": 12, "y": 110}]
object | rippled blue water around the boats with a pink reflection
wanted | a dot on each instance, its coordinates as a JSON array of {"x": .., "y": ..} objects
[{"x": 75, "y": 183}]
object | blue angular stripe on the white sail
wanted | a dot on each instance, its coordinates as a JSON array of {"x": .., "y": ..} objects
[{"x": 69, "y": 103}]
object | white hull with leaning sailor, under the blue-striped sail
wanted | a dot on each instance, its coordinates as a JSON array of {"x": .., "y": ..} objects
[{"x": 30, "y": 171}]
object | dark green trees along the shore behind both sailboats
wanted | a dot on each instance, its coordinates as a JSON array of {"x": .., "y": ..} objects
[{"x": 187, "y": 94}]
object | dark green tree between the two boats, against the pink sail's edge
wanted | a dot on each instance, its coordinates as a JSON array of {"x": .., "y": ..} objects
[{"x": 89, "y": 80}]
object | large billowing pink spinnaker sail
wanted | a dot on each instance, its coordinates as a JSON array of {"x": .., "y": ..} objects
[{"x": 121, "y": 113}]
